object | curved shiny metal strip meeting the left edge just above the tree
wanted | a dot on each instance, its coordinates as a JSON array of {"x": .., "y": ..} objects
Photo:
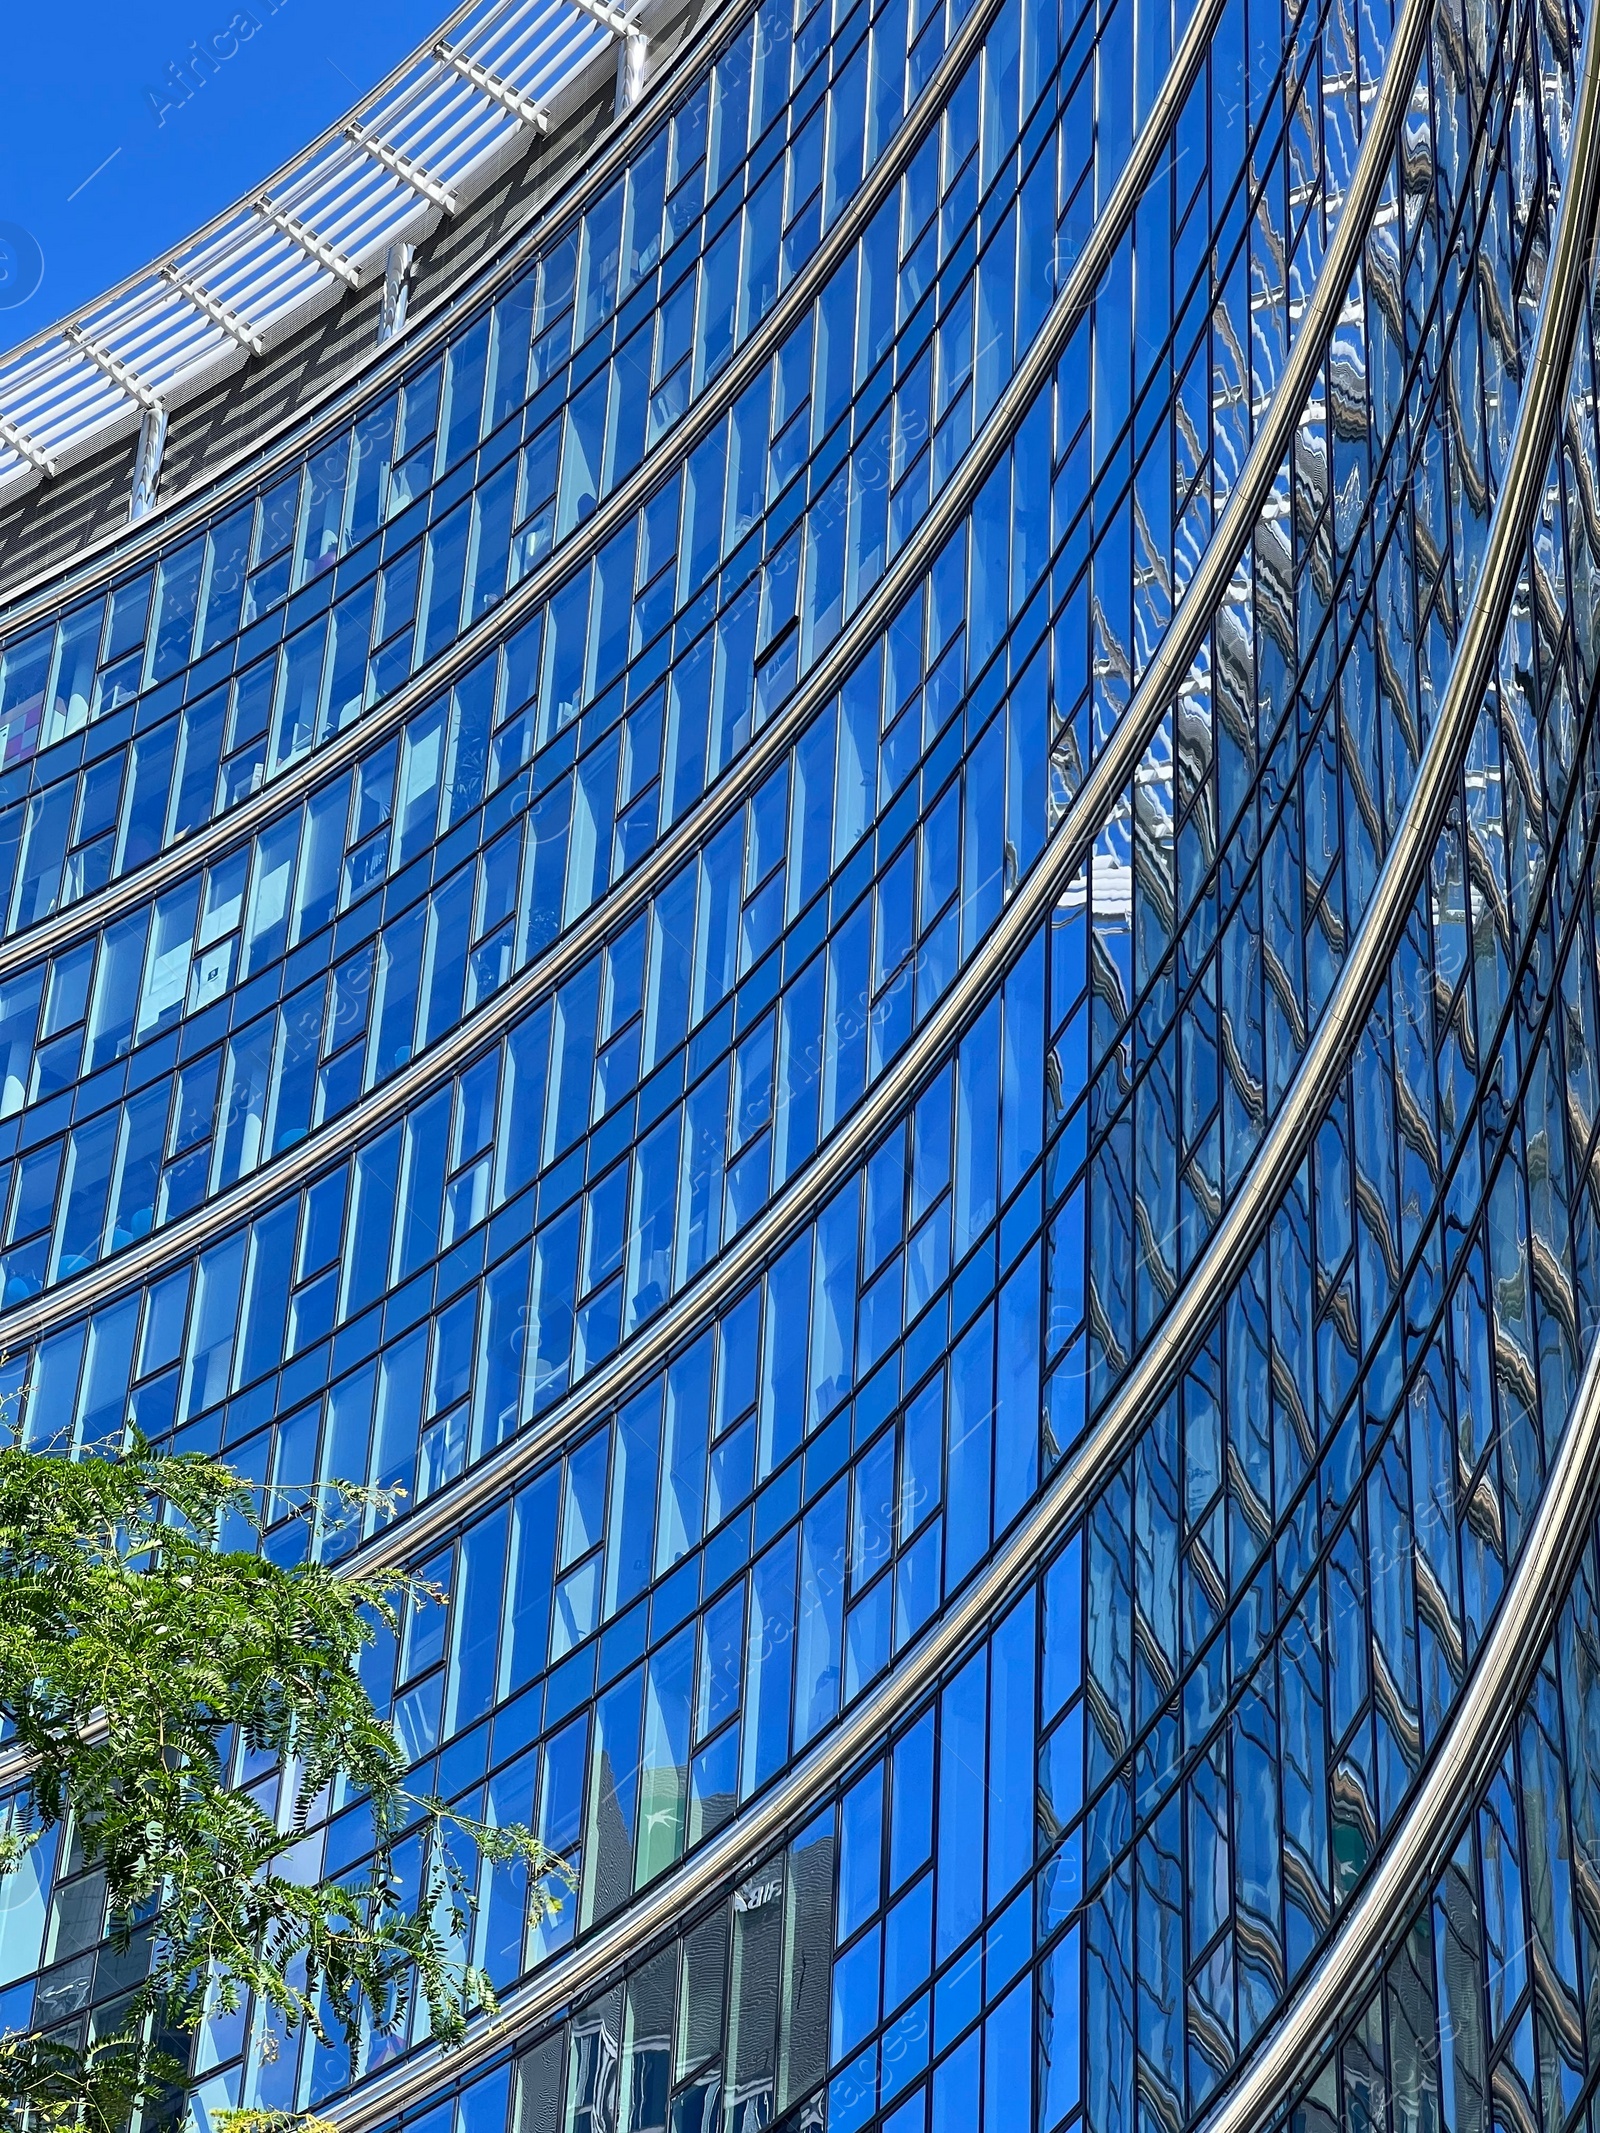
[{"x": 473, "y": 1036}]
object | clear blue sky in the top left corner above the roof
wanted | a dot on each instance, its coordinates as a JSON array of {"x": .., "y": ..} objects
[{"x": 101, "y": 187}]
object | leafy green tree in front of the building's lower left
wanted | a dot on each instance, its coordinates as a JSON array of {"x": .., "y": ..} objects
[{"x": 135, "y": 1652}]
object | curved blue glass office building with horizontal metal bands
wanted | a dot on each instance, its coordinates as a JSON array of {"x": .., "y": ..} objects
[{"x": 831, "y": 848}]
